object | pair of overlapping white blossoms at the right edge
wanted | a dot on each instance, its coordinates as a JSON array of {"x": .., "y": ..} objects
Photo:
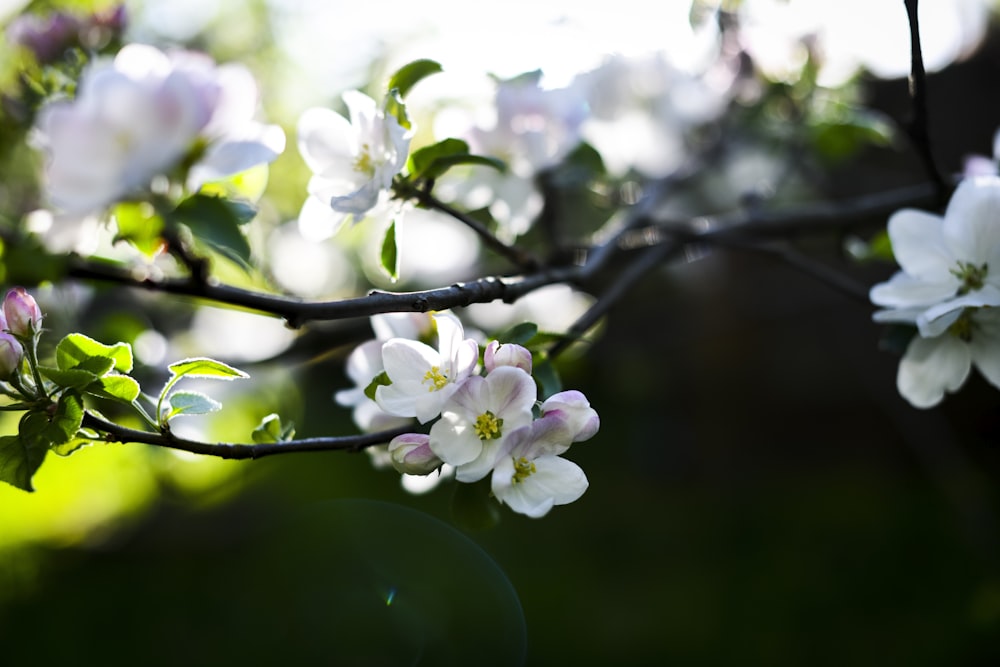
[{"x": 949, "y": 289}]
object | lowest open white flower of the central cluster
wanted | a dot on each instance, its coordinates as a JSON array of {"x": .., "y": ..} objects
[{"x": 529, "y": 478}]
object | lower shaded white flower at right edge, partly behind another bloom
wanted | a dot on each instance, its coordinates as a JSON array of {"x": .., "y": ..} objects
[{"x": 933, "y": 366}]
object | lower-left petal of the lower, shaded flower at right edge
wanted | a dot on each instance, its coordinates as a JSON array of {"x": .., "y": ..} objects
[{"x": 931, "y": 367}]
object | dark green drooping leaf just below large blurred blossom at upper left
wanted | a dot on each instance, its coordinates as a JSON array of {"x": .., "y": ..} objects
[{"x": 216, "y": 221}]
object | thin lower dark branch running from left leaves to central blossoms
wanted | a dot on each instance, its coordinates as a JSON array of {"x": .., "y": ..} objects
[{"x": 355, "y": 443}]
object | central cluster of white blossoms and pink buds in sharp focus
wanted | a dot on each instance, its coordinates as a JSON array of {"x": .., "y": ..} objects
[{"x": 486, "y": 418}]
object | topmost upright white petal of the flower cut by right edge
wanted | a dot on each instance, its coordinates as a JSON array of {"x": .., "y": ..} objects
[{"x": 970, "y": 225}]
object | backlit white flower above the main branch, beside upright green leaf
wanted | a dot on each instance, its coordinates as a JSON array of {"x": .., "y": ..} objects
[{"x": 353, "y": 162}]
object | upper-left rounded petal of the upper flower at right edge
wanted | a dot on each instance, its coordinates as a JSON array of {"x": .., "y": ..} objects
[{"x": 918, "y": 245}]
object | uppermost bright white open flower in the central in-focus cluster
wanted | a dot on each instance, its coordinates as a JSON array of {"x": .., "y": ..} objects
[{"x": 423, "y": 378}]
